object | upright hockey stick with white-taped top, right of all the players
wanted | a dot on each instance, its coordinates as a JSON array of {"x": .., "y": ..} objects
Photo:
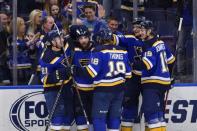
[{"x": 174, "y": 66}]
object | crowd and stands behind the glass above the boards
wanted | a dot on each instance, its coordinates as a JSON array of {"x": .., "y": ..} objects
[{"x": 37, "y": 17}]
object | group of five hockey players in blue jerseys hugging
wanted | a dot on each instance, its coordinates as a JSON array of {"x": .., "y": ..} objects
[{"x": 104, "y": 77}]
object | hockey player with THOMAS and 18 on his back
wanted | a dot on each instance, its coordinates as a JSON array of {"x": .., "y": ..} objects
[{"x": 109, "y": 67}]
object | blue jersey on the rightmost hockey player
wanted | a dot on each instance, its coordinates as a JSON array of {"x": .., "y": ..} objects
[{"x": 156, "y": 59}]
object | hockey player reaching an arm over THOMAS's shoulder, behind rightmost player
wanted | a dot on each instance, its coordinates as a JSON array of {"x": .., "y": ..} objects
[{"x": 133, "y": 45}]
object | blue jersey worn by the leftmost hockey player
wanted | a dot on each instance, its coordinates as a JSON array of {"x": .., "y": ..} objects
[{"x": 51, "y": 62}]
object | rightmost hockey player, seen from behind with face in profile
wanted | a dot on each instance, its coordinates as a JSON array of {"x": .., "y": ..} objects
[{"x": 155, "y": 77}]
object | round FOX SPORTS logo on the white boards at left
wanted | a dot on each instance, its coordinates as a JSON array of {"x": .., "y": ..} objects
[{"x": 29, "y": 112}]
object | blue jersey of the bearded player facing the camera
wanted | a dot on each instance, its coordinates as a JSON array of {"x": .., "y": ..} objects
[{"x": 81, "y": 58}]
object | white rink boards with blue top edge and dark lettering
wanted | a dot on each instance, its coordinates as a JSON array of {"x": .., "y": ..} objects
[{"x": 23, "y": 108}]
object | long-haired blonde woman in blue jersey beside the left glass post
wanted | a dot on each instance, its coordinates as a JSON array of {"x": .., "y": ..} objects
[{"x": 23, "y": 48}]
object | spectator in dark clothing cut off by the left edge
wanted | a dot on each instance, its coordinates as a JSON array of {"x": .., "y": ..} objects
[{"x": 4, "y": 71}]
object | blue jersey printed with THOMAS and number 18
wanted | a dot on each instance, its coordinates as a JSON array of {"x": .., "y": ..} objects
[{"x": 109, "y": 66}]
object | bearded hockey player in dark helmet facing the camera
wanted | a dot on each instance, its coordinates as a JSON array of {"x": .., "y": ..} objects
[{"x": 81, "y": 58}]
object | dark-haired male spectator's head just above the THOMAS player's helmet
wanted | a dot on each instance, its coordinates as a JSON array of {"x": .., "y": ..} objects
[{"x": 113, "y": 24}]
